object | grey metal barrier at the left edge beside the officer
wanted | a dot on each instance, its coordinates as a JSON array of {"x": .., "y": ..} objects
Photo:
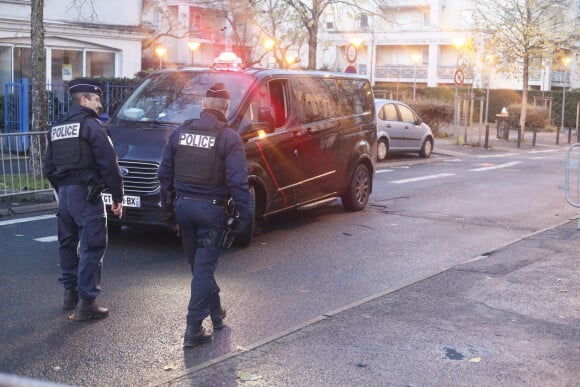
[{"x": 21, "y": 160}]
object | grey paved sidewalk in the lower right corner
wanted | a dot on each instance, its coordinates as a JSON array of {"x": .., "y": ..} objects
[{"x": 508, "y": 319}]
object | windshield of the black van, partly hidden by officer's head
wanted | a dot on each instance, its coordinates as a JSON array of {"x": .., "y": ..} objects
[{"x": 175, "y": 96}]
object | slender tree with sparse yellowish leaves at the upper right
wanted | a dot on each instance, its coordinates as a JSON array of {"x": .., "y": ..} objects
[{"x": 520, "y": 33}]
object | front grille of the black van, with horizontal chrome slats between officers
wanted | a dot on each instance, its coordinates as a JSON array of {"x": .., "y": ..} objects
[{"x": 139, "y": 177}]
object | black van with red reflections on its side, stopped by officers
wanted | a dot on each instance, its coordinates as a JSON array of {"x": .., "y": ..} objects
[{"x": 310, "y": 137}]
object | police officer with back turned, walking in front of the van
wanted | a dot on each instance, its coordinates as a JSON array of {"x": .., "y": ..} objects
[{"x": 204, "y": 164}]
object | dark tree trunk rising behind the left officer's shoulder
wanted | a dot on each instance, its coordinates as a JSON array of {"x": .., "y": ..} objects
[{"x": 39, "y": 101}]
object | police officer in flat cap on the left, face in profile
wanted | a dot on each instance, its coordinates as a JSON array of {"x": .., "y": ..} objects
[{"x": 80, "y": 163}]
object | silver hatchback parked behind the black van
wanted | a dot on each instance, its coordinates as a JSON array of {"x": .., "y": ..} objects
[{"x": 401, "y": 130}]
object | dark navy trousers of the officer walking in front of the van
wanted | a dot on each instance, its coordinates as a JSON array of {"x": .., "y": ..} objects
[{"x": 201, "y": 225}]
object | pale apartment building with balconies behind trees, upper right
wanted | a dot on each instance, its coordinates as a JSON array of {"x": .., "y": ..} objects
[{"x": 420, "y": 43}]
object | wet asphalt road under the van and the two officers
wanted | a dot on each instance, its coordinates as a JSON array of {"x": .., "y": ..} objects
[{"x": 424, "y": 217}]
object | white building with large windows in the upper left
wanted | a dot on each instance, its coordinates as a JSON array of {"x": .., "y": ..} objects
[{"x": 100, "y": 41}]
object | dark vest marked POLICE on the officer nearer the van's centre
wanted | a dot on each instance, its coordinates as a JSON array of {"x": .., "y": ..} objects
[{"x": 196, "y": 157}]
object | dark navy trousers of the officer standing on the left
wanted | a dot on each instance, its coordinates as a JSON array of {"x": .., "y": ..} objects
[{"x": 84, "y": 222}]
